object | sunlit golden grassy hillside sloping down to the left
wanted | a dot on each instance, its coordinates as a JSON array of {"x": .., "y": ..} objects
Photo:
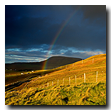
[{"x": 65, "y": 86}]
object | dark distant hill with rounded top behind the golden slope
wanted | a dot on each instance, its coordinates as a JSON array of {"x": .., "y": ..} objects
[{"x": 52, "y": 62}]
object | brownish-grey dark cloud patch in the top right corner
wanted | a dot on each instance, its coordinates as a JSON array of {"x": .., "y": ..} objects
[{"x": 93, "y": 13}]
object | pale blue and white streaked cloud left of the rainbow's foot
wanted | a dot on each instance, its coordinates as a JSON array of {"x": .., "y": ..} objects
[{"x": 12, "y": 55}]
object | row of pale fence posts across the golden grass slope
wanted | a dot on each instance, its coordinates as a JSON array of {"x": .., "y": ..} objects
[{"x": 68, "y": 81}]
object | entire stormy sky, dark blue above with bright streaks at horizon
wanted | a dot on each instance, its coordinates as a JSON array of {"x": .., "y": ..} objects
[{"x": 34, "y": 33}]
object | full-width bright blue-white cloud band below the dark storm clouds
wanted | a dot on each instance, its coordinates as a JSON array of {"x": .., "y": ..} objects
[{"x": 40, "y": 54}]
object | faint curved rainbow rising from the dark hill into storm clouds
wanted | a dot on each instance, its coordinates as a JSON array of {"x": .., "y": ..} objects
[{"x": 58, "y": 34}]
